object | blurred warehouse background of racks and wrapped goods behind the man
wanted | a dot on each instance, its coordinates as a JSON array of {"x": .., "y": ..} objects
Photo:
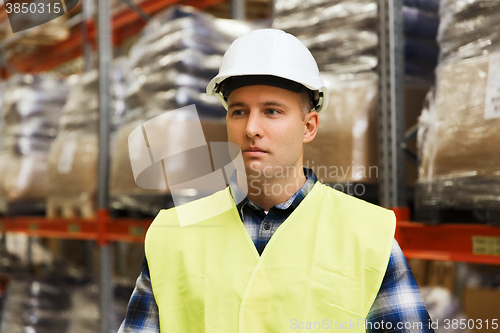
[{"x": 412, "y": 125}]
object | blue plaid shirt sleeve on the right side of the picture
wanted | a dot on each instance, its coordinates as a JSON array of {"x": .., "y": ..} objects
[{"x": 399, "y": 306}]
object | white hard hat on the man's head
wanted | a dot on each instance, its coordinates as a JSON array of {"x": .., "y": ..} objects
[{"x": 268, "y": 56}]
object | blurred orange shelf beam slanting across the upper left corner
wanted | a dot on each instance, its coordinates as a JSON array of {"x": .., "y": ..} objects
[{"x": 125, "y": 24}]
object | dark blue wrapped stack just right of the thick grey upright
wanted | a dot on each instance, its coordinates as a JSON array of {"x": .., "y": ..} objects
[{"x": 421, "y": 22}]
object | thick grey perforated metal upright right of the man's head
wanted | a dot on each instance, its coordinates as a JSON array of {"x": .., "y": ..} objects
[{"x": 392, "y": 185}]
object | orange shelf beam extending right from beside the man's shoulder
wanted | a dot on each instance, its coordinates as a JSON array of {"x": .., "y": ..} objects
[{"x": 452, "y": 242}]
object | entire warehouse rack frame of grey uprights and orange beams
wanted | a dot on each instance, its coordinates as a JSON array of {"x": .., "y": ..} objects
[{"x": 444, "y": 242}]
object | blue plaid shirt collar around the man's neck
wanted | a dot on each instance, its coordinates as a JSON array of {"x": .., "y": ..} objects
[{"x": 293, "y": 201}]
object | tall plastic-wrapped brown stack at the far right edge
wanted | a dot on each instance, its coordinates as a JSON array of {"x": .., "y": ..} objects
[{"x": 458, "y": 135}]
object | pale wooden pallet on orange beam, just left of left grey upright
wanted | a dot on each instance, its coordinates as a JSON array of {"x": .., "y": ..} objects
[{"x": 70, "y": 207}]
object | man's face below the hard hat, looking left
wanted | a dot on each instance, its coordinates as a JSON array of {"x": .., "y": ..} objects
[{"x": 268, "y": 125}]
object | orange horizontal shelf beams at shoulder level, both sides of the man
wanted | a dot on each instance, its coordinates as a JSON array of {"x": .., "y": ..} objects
[{"x": 453, "y": 242}]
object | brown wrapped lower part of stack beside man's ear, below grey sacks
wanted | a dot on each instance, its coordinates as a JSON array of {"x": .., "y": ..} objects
[{"x": 345, "y": 147}]
